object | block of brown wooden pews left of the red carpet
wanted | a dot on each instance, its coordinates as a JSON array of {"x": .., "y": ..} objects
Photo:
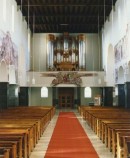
[{"x": 21, "y": 128}]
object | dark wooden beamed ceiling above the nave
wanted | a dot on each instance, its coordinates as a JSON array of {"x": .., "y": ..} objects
[{"x": 73, "y": 16}]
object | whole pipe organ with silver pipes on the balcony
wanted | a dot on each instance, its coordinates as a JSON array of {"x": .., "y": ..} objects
[{"x": 66, "y": 52}]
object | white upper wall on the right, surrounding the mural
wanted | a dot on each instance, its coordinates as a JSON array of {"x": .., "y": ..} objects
[{"x": 115, "y": 30}]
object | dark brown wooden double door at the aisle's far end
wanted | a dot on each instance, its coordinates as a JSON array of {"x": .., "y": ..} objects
[{"x": 66, "y": 97}]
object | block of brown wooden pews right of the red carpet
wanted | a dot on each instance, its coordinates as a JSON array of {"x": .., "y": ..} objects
[{"x": 112, "y": 126}]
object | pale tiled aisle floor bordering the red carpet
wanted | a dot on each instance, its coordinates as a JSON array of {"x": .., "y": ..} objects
[{"x": 40, "y": 149}]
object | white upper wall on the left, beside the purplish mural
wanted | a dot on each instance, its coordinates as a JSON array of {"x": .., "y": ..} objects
[{"x": 17, "y": 27}]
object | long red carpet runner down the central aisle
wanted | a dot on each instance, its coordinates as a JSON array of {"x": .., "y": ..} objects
[{"x": 69, "y": 139}]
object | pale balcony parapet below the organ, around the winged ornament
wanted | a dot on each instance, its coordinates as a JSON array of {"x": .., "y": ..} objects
[{"x": 89, "y": 78}]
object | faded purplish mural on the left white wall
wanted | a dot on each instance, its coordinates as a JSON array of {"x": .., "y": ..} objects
[{"x": 9, "y": 51}]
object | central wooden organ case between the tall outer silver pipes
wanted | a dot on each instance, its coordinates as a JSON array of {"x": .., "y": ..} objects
[{"x": 65, "y": 52}]
